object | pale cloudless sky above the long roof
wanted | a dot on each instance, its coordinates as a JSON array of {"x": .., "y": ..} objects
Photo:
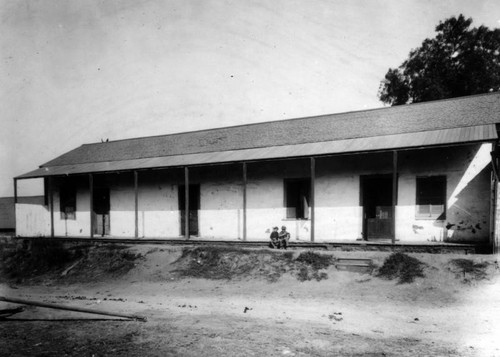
[{"x": 78, "y": 71}]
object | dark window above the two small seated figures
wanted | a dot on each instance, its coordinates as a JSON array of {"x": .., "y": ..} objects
[{"x": 297, "y": 196}]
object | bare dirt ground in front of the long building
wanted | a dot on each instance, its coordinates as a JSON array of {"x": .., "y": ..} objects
[{"x": 265, "y": 310}]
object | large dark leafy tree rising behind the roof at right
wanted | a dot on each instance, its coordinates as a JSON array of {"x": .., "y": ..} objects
[{"x": 459, "y": 61}]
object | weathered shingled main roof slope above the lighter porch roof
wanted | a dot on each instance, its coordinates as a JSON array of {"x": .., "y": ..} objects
[{"x": 444, "y": 114}]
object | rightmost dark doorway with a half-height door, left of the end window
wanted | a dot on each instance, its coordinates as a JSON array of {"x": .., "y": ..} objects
[{"x": 376, "y": 195}]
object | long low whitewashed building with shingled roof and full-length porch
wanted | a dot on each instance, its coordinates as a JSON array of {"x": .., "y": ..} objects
[{"x": 421, "y": 173}]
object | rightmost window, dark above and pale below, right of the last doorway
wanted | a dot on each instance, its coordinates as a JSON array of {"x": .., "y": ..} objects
[{"x": 431, "y": 197}]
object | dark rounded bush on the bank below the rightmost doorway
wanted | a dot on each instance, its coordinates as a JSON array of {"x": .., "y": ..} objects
[{"x": 403, "y": 267}]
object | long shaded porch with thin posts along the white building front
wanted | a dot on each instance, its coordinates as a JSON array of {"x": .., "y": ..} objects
[{"x": 417, "y": 196}]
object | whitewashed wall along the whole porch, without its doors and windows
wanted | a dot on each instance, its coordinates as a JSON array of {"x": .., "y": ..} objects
[{"x": 338, "y": 208}]
